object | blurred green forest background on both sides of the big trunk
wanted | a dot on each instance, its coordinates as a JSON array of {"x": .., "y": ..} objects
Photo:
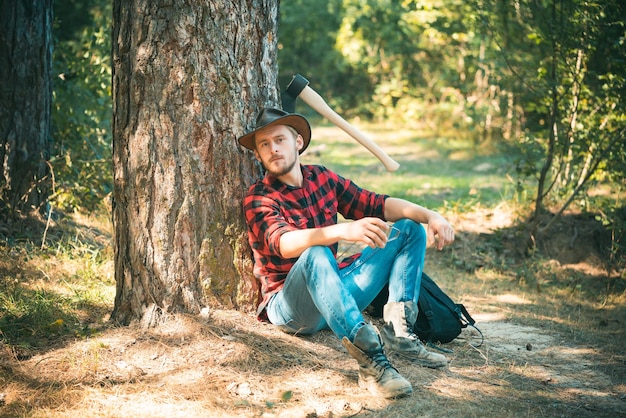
[{"x": 543, "y": 80}]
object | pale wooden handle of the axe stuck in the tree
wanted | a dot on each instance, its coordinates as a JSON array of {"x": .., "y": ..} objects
[{"x": 310, "y": 97}]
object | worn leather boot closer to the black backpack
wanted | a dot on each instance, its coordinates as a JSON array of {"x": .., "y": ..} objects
[{"x": 399, "y": 318}]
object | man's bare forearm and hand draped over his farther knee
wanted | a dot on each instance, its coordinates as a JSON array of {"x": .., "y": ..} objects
[{"x": 439, "y": 230}]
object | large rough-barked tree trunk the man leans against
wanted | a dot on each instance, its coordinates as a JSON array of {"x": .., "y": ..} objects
[{"x": 188, "y": 78}]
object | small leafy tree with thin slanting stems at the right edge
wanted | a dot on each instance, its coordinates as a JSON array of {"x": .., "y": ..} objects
[{"x": 585, "y": 101}]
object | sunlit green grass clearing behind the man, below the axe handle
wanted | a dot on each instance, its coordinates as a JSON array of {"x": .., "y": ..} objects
[{"x": 434, "y": 172}]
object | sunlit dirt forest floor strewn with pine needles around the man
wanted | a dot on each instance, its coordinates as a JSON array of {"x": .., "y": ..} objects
[{"x": 554, "y": 347}]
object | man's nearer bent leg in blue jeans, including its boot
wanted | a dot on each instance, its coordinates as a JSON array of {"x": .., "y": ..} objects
[{"x": 314, "y": 296}]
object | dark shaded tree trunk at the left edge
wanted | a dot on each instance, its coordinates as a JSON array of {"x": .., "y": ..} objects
[{"x": 25, "y": 105}]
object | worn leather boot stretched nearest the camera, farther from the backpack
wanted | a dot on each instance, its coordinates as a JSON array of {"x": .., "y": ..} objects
[{"x": 375, "y": 372}]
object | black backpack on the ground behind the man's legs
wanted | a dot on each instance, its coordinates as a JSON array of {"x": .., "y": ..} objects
[{"x": 439, "y": 320}]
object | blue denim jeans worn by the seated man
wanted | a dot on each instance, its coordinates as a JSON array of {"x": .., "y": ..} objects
[{"x": 317, "y": 294}]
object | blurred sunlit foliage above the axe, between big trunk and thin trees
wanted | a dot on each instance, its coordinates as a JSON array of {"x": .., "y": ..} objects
[{"x": 419, "y": 63}]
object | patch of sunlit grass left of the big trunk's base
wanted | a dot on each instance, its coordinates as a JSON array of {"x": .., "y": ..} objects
[{"x": 50, "y": 293}]
